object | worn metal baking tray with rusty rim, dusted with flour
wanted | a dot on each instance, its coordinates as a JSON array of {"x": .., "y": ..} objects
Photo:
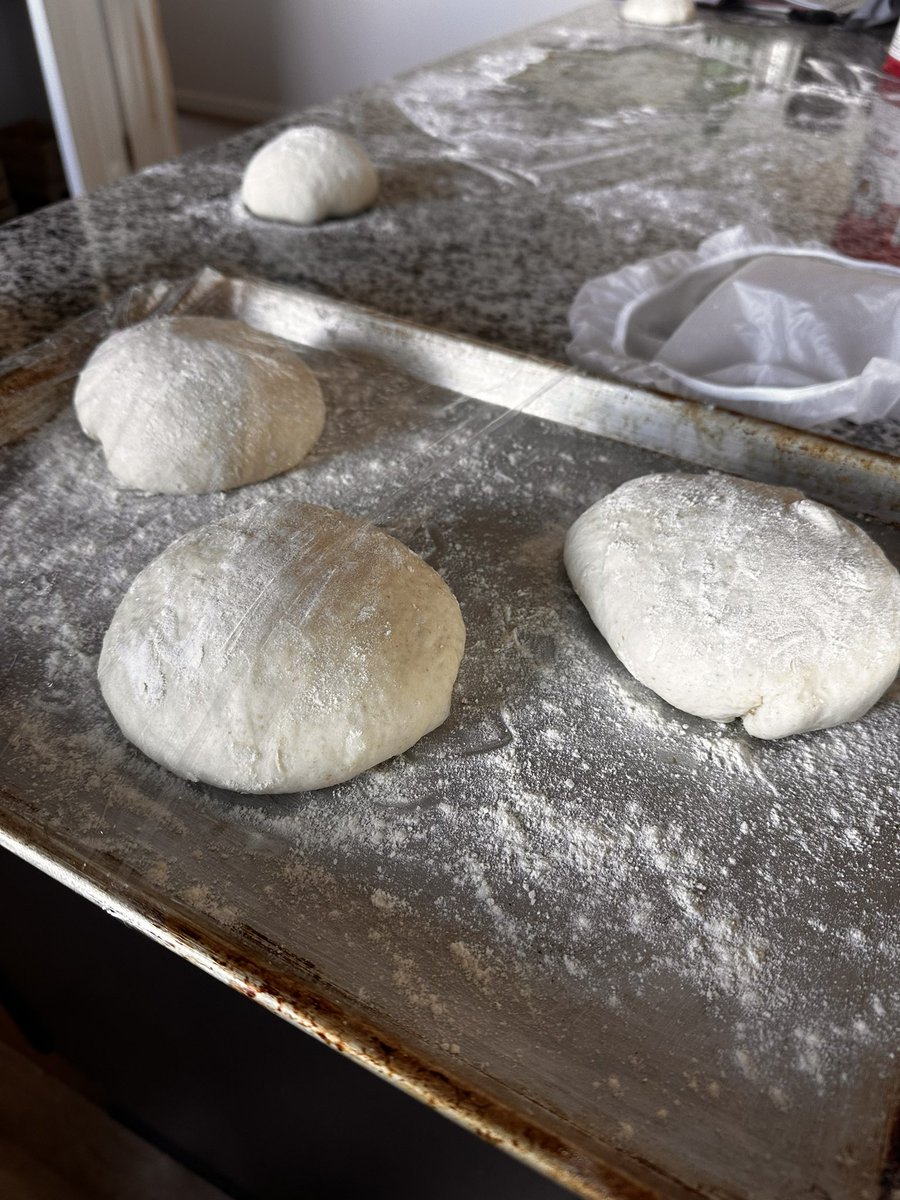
[{"x": 635, "y": 949}]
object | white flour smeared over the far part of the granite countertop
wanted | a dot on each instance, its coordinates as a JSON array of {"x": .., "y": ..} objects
[{"x": 659, "y": 137}]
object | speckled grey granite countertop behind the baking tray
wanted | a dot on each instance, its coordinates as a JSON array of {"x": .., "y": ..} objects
[{"x": 511, "y": 175}]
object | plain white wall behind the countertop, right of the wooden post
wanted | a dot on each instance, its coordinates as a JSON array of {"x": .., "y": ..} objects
[{"x": 262, "y": 58}]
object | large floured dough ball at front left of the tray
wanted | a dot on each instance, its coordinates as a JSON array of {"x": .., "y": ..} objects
[{"x": 284, "y": 650}]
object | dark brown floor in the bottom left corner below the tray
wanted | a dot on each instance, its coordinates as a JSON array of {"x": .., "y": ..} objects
[{"x": 57, "y": 1145}]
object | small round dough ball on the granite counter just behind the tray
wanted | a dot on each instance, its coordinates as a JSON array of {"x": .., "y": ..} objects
[{"x": 308, "y": 175}]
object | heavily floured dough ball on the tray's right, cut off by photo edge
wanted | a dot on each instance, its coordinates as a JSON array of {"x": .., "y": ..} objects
[{"x": 737, "y": 599}]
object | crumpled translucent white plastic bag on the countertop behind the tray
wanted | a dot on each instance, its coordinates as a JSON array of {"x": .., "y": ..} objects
[{"x": 754, "y": 323}]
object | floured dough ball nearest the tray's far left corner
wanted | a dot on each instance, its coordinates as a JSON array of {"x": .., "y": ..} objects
[{"x": 199, "y": 405}]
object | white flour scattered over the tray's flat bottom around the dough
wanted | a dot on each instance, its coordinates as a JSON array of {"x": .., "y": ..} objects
[{"x": 567, "y": 871}]
